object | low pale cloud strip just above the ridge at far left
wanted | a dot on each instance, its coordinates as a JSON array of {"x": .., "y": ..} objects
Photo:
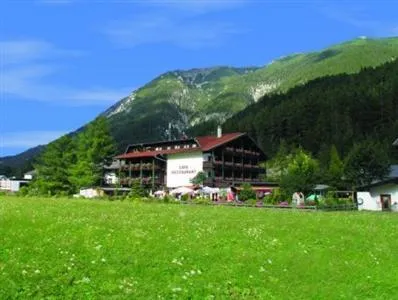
[{"x": 27, "y": 139}]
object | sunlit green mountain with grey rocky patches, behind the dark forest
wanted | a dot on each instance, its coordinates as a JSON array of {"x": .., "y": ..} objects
[{"x": 194, "y": 101}]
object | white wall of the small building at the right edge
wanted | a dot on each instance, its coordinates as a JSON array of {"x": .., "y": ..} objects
[{"x": 371, "y": 200}]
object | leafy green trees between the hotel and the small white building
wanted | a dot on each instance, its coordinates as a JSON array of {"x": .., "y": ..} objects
[{"x": 298, "y": 170}]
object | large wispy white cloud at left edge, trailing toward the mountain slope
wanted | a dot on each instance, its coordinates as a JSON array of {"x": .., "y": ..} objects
[{"x": 27, "y": 68}]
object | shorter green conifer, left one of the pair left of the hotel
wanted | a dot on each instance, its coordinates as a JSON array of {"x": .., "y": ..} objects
[{"x": 52, "y": 168}]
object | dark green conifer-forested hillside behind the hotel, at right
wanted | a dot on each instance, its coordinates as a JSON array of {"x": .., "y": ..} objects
[{"x": 339, "y": 110}]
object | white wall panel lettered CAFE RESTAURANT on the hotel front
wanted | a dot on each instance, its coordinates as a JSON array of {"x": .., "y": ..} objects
[{"x": 182, "y": 167}]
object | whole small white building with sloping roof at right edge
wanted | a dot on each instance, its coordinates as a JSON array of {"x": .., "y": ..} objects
[{"x": 381, "y": 195}]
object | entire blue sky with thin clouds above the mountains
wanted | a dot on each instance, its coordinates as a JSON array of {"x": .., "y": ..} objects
[{"x": 64, "y": 62}]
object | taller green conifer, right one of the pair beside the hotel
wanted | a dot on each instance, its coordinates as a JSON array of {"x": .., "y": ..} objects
[{"x": 94, "y": 149}]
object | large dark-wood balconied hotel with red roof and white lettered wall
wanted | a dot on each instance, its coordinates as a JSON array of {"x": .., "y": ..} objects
[{"x": 226, "y": 159}]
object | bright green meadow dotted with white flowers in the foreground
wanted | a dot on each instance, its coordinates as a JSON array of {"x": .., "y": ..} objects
[{"x": 80, "y": 249}]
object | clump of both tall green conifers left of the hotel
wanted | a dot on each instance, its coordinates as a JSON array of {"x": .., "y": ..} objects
[{"x": 72, "y": 162}]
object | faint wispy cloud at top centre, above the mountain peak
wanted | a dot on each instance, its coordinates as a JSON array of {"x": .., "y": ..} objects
[{"x": 181, "y": 23}]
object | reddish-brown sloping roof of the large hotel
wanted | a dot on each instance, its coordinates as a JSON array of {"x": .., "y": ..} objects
[{"x": 205, "y": 143}]
